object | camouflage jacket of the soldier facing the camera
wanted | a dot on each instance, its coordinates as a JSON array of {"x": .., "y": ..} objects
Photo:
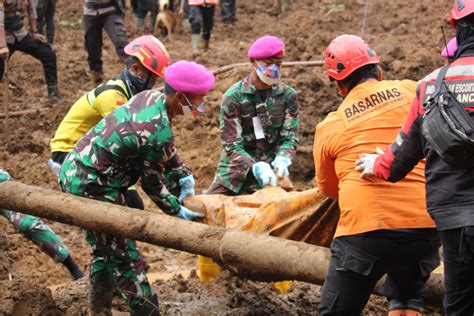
[{"x": 277, "y": 110}]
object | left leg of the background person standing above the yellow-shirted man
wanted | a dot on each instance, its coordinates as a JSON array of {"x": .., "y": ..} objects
[{"x": 93, "y": 44}]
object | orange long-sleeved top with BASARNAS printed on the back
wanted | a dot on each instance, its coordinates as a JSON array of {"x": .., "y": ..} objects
[{"x": 370, "y": 116}]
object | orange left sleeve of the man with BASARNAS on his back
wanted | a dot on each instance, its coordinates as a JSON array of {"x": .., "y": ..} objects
[{"x": 324, "y": 162}]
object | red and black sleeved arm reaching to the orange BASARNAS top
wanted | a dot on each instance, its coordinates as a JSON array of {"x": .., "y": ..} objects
[{"x": 407, "y": 150}]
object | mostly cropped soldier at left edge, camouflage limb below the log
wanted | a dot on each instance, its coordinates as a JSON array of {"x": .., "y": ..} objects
[{"x": 37, "y": 231}]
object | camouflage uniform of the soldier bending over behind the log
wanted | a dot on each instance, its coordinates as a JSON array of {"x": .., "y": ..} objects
[{"x": 133, "y": 142}]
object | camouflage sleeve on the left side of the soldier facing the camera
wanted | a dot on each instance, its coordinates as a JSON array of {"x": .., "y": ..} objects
[{"x": 231, "y": 135}]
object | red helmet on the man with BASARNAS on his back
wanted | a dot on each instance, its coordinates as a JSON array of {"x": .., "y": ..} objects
[{"x": 347, "y": 53}]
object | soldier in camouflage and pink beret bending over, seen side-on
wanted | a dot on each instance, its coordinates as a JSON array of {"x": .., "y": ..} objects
[{"x": 135, "y": 141}]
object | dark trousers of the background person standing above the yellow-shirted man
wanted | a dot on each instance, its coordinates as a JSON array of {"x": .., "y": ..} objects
[{"x": 115, "y": 28}]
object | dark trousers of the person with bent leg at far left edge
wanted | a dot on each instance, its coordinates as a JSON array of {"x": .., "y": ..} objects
[{"x": 39, "y": 50}]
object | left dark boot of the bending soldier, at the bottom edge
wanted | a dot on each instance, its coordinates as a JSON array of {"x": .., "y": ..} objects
[{"x": 101, "y": 293}]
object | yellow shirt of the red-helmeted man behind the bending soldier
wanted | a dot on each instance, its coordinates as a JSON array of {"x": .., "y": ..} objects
[{"x": 85, "y": 114}]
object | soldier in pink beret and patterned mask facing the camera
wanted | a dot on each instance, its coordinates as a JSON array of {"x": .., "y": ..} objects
[{"x": 259, "y": 123}]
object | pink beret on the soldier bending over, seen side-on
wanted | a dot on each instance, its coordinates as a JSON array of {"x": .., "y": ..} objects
[{"x": 189, "y": 77}]
